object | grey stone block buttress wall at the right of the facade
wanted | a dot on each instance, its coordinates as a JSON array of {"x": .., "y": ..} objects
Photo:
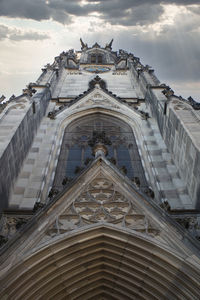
[{"x": 179, "y": 125}]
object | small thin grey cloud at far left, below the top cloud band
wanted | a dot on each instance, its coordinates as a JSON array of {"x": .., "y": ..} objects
[{"x": 15, "y": 34}]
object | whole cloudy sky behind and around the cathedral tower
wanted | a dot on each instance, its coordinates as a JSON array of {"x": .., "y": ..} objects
[{"x": 164, "y": 34}]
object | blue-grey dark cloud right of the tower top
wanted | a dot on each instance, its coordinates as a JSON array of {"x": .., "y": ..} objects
[{"x": 174, "y": 54}]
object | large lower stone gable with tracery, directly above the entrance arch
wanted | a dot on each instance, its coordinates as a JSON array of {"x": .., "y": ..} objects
[{"x": 102, "y": 195}]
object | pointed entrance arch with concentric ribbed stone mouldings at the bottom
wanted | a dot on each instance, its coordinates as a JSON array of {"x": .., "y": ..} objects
[{"x": 103, "y": 260}]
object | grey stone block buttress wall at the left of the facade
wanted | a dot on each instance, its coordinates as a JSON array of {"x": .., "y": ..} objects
[{"x": 18, "y": 127}]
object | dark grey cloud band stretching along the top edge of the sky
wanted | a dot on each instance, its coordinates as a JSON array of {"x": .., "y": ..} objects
[{"x": 126, "y": 12}]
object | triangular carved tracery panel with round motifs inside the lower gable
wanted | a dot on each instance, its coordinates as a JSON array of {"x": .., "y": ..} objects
[{"x": 102, "y": 202}]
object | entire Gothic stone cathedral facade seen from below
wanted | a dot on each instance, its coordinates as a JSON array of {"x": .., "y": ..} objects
[{"x": 99, "y": 183}]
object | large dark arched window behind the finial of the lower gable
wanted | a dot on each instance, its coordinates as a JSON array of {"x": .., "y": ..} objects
[{"x": 76, "y": 150}]
